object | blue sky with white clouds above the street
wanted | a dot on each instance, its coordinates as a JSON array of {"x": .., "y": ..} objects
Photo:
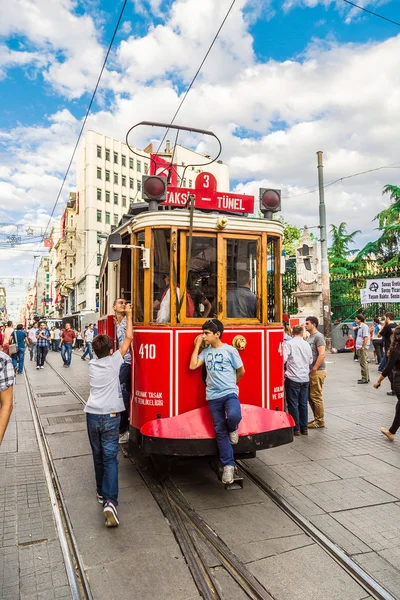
[{"x": 286, "y": 78}]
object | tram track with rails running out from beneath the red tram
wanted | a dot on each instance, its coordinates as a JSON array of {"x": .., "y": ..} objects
[{"x": 198, "y": 541}]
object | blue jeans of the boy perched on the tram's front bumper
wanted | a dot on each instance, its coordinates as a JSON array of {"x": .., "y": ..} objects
[{"x": 226, "y": 416}]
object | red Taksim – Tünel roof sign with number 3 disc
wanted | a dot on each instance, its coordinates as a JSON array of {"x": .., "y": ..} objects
[{"x": 207, "y": 196}]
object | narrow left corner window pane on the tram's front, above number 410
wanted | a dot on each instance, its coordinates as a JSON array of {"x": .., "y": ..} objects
[{"x": 161, "y": 276}]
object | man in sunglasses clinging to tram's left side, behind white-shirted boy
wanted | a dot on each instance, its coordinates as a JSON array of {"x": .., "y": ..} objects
[{"x": 126, "y": 367}]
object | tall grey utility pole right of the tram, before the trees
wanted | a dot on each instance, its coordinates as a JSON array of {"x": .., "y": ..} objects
[{"x": 326, "y": 294}]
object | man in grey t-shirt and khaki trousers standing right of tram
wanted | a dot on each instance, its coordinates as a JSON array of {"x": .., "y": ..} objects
[{"x": 317, "y": 373}]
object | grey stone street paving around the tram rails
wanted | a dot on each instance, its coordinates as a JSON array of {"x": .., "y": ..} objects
[{"x": 344, "y": 479}]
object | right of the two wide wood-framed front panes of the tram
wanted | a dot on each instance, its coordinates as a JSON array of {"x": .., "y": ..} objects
[{"x": 241, "y": 279}]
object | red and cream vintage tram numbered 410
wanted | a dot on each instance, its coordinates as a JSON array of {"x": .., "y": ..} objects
[{"x": 208, "y": 255}]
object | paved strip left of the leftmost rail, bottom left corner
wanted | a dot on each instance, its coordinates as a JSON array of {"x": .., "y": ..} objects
[{"x": 31, "y": 563}]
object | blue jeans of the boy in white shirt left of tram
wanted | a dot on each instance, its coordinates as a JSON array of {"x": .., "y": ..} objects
[{"x": 103, "y": 431}]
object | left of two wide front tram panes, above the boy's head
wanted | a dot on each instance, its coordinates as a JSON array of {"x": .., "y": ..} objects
[{"x": 201, "y": 290}]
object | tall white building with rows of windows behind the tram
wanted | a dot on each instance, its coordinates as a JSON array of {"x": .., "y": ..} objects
[{"x": 109, "y": 179}]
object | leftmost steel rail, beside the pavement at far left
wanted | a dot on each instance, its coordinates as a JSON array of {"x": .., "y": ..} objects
[{"x": 77, "y": 580}]
